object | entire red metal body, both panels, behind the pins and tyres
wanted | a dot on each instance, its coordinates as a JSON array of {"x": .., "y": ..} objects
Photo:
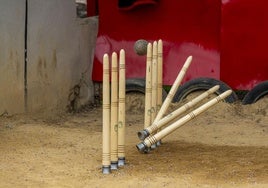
[{"x": 227, "y": 38}]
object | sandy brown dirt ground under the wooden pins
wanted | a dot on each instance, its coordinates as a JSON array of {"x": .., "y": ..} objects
[{"x": 226, "y": 146}]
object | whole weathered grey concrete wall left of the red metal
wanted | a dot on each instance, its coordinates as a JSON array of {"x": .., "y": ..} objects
[{"x": 60, "y": 54}]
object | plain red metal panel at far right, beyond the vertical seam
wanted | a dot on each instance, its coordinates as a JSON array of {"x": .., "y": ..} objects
[{"x": 244, "y": 40}]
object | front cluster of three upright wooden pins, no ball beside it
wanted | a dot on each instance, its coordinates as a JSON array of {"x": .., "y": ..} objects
[{"x": 113, "y": 154}]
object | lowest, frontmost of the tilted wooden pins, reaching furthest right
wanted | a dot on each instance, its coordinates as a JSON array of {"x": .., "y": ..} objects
[{"x": 146, "y": 144}]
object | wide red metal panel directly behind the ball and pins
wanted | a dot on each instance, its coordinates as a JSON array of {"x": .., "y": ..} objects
[{"x": 186, "y": 28}]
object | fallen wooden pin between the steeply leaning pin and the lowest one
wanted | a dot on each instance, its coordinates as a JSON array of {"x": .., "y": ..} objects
[{"x": 156, "y": 125}]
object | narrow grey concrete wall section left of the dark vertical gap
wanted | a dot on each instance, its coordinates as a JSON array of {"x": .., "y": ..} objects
[{"x": 12, "y": 17}]
